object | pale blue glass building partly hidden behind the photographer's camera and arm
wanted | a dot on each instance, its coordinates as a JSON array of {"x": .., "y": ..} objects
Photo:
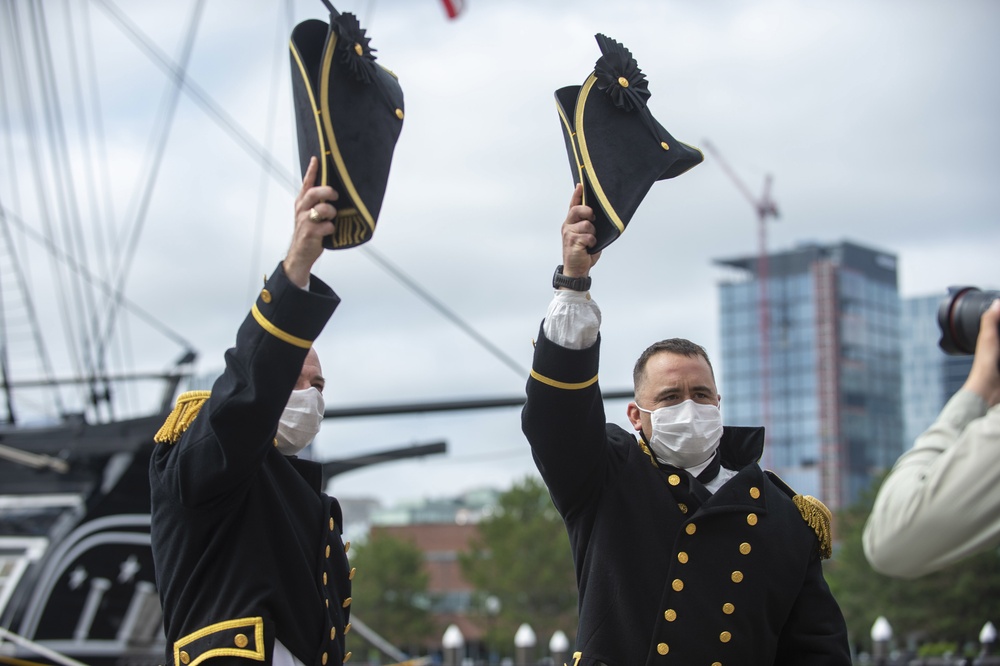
[{"x": 930, "y": 377}]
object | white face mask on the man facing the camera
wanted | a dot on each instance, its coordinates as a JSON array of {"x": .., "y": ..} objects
[{"x": 685, "y": 434}]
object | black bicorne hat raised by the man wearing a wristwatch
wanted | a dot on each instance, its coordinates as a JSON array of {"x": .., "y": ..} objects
[{"x": 615, "y": 146}]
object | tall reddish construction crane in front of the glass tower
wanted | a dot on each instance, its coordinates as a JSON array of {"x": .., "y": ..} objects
[{"x": 765, "y": 208}]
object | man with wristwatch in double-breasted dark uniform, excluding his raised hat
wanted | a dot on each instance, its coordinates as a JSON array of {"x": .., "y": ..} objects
[{"x": 686, "y": 552}]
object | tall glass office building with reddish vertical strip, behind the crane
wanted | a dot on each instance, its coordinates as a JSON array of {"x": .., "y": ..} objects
[{"x": 819, "y": 367}]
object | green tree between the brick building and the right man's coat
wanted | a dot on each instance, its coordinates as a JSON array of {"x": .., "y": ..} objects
[{"x": 522, "y": 557}]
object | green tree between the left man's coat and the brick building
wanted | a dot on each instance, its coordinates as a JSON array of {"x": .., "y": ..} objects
[{"x": 391, "y": 590}]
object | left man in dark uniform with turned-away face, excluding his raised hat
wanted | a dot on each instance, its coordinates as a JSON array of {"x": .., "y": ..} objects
[{"x": 250, "y": 561}]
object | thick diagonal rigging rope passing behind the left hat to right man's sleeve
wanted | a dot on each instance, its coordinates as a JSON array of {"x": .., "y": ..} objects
[{"x": 280, "y": 173}]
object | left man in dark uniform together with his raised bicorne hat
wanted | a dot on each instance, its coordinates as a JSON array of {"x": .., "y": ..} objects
[{"x": 251, "y": 564}]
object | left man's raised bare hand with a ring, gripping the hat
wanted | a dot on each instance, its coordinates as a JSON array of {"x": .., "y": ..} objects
[{"x": 313, "y": 220}]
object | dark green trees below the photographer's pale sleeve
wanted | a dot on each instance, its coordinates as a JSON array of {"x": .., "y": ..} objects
[{"x": 950, "y": 605}]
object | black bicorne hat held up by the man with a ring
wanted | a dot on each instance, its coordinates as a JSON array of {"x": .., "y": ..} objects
[{"x": 348, "y": 113}]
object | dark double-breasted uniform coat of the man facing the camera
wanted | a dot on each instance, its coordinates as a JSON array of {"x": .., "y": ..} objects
[{"x": 663, "y": 578}]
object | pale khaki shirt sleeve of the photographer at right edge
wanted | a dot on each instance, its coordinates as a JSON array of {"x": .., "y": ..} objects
[{"x": 941, "y": 501}]
